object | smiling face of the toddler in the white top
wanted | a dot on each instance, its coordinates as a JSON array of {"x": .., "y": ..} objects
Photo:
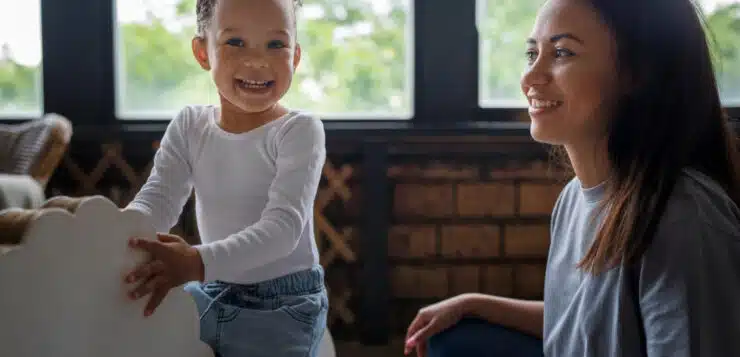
[{"x": 251, "y": 50}]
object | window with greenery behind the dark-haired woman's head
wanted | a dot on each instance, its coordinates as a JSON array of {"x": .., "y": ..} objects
[{"x": 504, "y": 25}]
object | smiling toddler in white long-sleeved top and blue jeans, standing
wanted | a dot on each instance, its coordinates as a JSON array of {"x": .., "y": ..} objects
[{"x": 255, "y": 168}]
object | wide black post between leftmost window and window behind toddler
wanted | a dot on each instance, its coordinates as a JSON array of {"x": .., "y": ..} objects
[{"x": 78, "y": 73}]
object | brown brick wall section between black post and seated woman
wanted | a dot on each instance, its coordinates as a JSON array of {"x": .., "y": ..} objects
[{"x": 478, "y": 227}]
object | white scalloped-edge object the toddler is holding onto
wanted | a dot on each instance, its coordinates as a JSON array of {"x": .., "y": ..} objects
[{"x": 62, "y": 292}]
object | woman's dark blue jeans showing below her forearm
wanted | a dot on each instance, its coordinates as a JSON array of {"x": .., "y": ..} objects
[{"x": 478, "y": 338}]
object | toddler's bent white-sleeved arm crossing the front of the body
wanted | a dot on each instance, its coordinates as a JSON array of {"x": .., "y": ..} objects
[{"x": 301, "y": 154}]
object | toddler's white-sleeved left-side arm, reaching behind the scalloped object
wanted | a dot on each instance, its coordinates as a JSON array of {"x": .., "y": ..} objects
[{"x": 168, "y": 187}]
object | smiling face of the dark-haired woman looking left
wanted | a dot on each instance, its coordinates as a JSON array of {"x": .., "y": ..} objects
[{"x": 570, "y": 80}]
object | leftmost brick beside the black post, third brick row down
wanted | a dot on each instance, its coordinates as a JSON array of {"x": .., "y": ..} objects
[{"x": 412, "y": 241}]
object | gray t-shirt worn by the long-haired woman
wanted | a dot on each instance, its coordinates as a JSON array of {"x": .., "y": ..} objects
[{"x": 689, "y": 280}]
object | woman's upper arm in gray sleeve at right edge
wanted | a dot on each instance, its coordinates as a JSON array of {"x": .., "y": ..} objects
[{"x": 688, "y": 284}]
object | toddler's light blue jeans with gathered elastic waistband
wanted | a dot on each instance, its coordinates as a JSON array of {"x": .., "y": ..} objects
[{"x": 283, "y": 317}]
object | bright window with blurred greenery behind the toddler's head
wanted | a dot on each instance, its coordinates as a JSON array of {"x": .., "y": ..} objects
[{"x": 356, "y": 59}]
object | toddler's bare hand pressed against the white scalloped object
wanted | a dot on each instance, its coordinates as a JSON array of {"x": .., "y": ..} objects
[{"x": 172, "y": 263}]
